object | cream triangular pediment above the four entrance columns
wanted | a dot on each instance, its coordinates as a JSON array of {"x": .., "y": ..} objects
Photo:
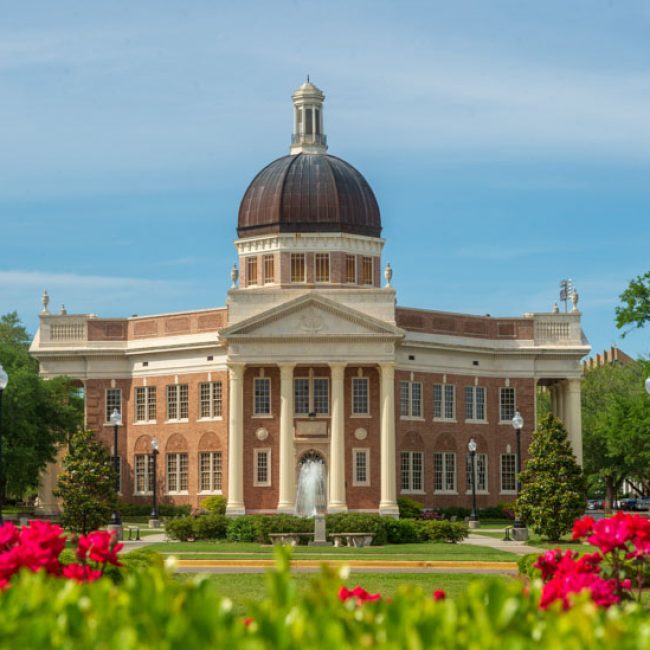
[{"x": 311, "y": 316}]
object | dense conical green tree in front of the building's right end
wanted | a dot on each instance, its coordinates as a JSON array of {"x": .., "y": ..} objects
[{"x": 553, "y": 489}]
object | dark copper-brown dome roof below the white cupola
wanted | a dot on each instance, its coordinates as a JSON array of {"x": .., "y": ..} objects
[{"x": 309, "y": 193}]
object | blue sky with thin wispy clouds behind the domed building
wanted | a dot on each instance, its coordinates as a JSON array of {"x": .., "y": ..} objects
[{"x": 508, "y": 144}]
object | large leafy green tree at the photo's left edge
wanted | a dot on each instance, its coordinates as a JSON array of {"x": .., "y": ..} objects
[{"x": 37, "y": 414}]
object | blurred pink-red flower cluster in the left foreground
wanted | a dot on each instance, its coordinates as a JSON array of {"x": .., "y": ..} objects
[{"x": 38, "y": 547}]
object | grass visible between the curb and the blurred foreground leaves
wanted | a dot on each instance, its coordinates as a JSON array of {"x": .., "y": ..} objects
[{"x": 244, "y": 588}]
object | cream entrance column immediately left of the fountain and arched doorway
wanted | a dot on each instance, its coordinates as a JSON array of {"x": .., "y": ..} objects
[{"x": 287, "y": 492}]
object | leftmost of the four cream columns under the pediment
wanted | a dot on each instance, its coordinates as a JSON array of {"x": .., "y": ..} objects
[{"x": 235, "y": 504}]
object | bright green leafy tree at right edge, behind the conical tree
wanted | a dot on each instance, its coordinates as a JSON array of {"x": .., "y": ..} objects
[{"x": 616, "y": 426}]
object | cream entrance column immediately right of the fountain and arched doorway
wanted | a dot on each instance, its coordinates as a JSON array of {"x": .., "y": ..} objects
[{"x": 337, "y": 501}]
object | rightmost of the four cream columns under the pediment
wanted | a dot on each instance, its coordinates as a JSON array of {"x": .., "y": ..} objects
[{"x": 388, "y": 502}]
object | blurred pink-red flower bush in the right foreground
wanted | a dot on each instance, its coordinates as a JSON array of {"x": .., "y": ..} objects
[{"x": 610, "y": 574}]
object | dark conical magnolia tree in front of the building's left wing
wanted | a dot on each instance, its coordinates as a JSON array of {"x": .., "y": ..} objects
[{"x": 87, "y": 484}]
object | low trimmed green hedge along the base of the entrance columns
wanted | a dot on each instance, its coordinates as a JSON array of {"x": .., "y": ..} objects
[{"x": 257, "y": 528}]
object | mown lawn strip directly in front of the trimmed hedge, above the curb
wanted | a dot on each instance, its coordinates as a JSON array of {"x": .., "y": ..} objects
[{"x": 429, "y": 551}]
